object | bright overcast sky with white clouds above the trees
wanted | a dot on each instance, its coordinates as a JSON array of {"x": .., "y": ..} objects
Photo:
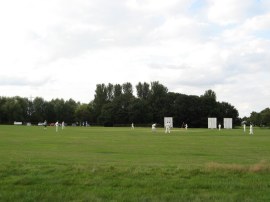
[{"x": 63, "y": 48}]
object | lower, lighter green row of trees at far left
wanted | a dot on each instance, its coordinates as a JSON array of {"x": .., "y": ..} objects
[{"x": 24, "y": 110}]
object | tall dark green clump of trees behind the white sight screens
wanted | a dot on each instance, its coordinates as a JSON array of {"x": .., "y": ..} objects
[{"x": 116, "y": 104}]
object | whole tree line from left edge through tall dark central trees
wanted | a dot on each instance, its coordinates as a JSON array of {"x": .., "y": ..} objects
[{"x": 116, "y": 104}]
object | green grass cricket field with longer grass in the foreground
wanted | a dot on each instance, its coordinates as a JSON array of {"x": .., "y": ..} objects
[{"x": 120, "y": 164}]
